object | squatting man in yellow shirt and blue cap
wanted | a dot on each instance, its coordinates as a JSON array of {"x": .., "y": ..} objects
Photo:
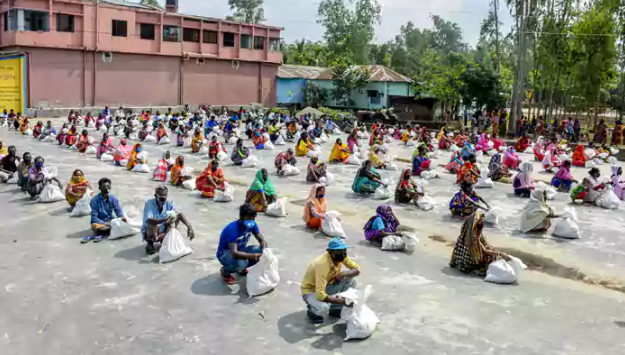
[{"x": 324, "y": 278}]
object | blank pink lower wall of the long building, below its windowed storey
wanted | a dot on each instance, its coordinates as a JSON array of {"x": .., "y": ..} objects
[{"x": 67, "y": 78}]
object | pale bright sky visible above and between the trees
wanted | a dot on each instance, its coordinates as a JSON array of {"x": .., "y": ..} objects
[{"x": 299, "y": 17}]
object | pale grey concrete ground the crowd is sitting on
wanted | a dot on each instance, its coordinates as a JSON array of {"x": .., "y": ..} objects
[{"x": 59, "y": 297}]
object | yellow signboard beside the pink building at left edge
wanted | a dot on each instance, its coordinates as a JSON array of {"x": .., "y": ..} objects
[{"x": 12, "y": 84}]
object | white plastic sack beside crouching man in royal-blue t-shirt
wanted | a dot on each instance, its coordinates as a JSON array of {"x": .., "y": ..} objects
[{"x": 264, "y": 276}]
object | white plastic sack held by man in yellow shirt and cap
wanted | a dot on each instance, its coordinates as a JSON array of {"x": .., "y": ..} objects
[{"x": 361, "y": 321}]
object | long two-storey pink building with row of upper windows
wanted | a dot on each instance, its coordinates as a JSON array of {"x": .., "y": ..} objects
[{"x": 117, "y": 53}]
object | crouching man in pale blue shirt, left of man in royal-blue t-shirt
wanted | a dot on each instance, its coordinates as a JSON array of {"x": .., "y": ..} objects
[{"x": 155, "y": 226}]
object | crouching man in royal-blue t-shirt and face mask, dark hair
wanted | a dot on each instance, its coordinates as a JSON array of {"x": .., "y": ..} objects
[{"x": 233, "y": 252}]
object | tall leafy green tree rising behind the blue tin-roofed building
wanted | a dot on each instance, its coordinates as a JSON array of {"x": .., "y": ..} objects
[{"x": 349, "y": 32}]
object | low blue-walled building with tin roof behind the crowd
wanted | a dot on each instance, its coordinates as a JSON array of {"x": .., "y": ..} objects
[{"x": 292, "y": 80}]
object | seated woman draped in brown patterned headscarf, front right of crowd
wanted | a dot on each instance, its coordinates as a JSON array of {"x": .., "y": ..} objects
[{"x": 472, "y": 254}]
